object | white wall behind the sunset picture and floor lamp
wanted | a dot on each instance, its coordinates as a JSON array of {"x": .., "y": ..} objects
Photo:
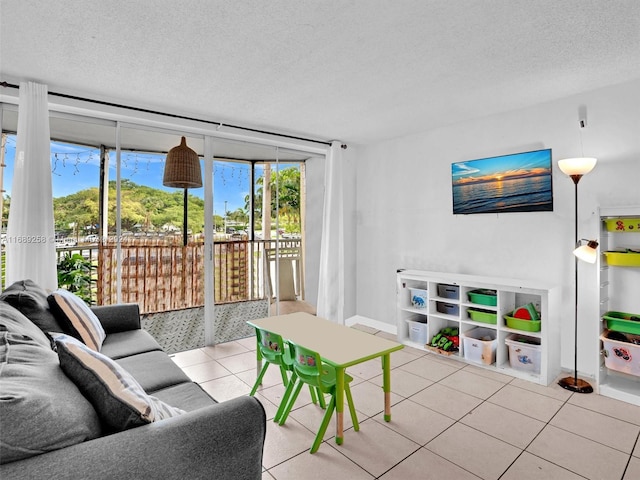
[{"x": 404, "y": 213}]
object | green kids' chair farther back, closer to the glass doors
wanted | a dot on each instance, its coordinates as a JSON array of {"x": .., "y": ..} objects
[{"x": 274, "y": 350}]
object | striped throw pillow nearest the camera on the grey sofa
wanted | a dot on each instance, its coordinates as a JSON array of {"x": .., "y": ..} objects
[{"x": 119, "y": 400}]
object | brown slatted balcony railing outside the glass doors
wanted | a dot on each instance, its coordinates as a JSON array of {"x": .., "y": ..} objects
[{"x": 160, "y": 275}]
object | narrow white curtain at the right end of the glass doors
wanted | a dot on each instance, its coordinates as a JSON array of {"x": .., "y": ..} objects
[{"x": 331, "y": 281}]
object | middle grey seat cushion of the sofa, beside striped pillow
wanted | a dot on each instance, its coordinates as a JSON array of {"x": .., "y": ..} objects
[{"x": 153, "y": 370}]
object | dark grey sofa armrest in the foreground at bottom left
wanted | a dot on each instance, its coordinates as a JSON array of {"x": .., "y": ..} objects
[{"x": 223, "y": 441}]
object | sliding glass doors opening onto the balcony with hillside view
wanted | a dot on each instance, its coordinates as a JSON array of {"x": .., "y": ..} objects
[{"x": 244, "y": 255}]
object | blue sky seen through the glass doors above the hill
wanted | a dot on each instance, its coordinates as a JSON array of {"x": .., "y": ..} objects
[{"x": 76, "y": 167}]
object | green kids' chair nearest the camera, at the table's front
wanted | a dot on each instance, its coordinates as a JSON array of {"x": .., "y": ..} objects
[{"x": 309, "y": 369}]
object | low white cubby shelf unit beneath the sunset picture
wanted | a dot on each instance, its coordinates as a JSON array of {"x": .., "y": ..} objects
[{"x": 448, "y": 304}]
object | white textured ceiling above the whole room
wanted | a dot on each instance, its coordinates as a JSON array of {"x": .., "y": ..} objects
[{"x": 356, "y": 70}]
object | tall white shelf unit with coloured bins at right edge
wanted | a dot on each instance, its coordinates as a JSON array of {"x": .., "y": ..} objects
[{"x": 618, "y": 287}]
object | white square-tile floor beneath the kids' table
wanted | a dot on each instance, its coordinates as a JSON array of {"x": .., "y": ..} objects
[{"x": 449, "y": 420}]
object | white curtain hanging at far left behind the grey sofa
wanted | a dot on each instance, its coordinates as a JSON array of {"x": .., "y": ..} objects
[{"x": 31, "y": 252}]
